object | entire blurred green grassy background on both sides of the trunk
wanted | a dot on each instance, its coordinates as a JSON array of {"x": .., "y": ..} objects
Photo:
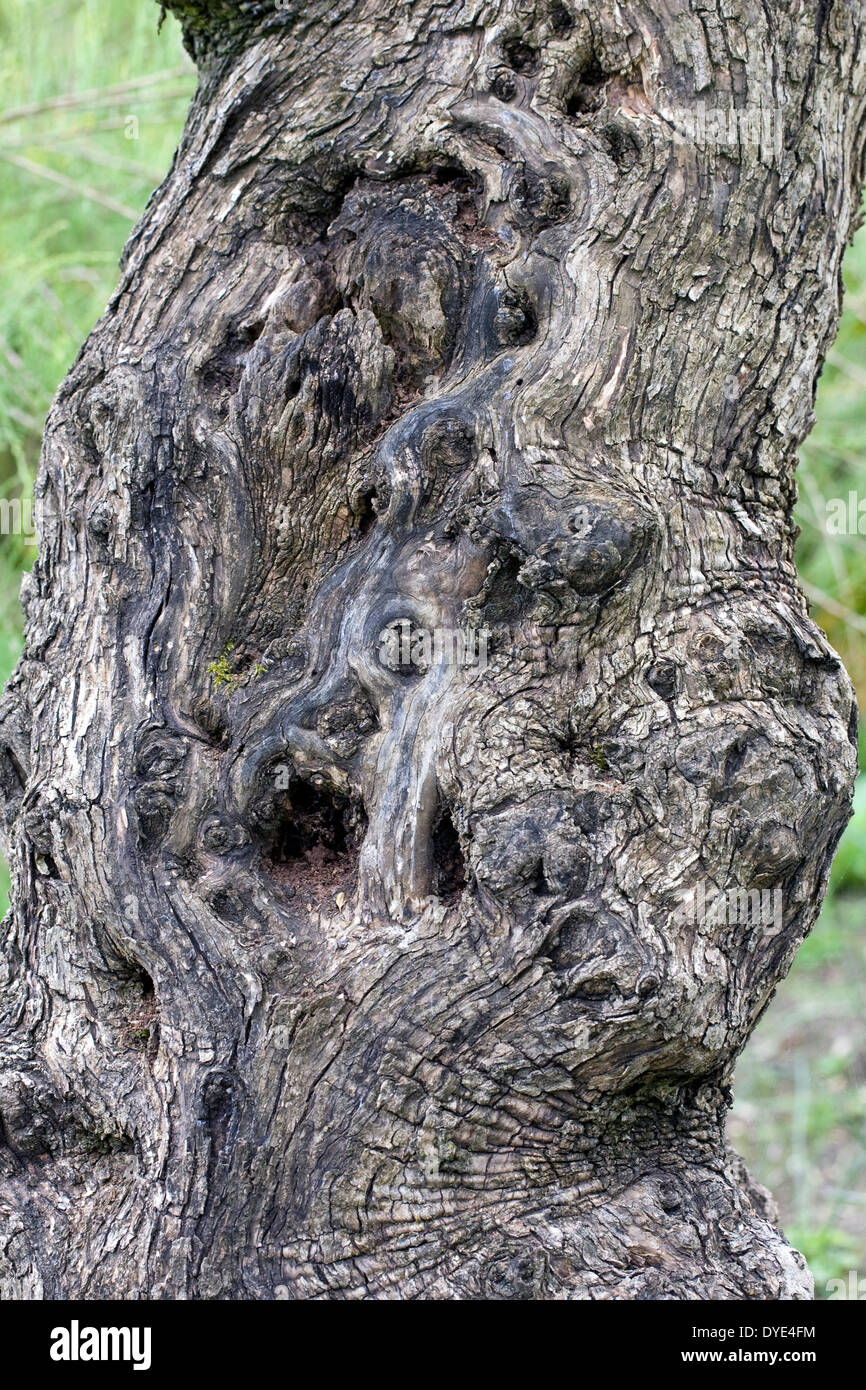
[{"x": 94, "y": 104}]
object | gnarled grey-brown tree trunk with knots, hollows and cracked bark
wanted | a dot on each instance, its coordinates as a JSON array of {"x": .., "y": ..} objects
[{"x": 343, "y": 963}]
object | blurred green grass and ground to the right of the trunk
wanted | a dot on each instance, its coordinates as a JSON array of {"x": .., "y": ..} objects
[{"x": 800, "y": 1111}]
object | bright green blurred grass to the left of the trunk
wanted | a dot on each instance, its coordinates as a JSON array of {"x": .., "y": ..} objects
[{"x": 94, "y": 105}]
